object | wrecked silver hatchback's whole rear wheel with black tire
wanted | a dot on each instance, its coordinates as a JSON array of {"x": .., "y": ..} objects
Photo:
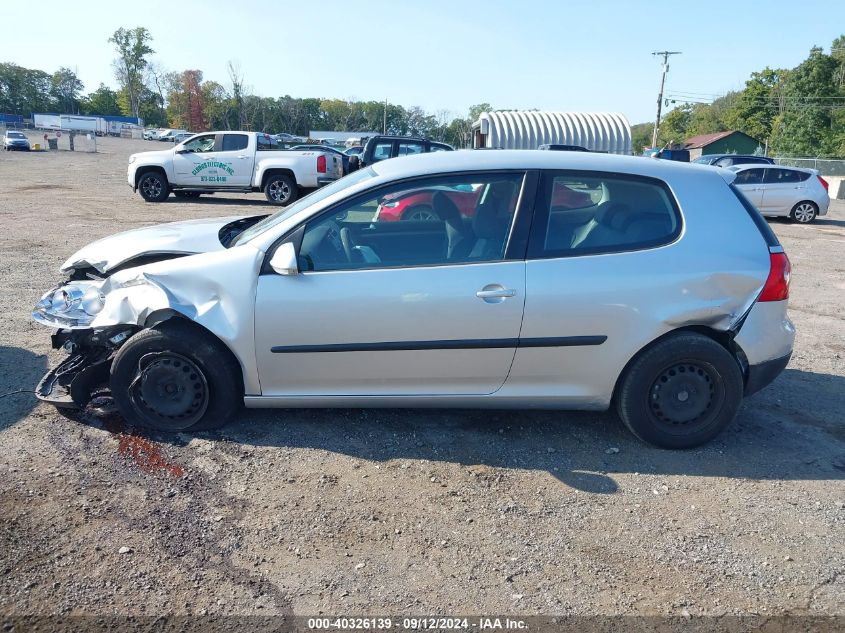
[{"x": 681, "y": 392}]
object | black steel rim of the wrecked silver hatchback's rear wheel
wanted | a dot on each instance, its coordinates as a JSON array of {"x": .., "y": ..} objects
[{"x": 686, "y": 396}]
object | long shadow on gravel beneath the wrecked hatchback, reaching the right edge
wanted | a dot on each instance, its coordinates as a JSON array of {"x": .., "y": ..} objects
[{"x": 792, "y": 430}]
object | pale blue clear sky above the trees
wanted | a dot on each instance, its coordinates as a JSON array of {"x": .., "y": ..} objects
[{"x": 437, "y": 54}]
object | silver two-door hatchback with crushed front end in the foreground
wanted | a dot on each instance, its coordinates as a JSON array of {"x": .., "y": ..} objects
[{"x": 522, "y": 279}]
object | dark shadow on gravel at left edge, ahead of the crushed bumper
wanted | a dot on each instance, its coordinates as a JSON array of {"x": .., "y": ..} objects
[{"x": 19, "y": 369}]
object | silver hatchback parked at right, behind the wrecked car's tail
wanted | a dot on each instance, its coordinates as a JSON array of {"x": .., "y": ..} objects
[{"x": 800, "y": 194}]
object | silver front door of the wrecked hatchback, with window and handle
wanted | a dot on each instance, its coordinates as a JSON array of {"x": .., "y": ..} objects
[{"x": 389, "y": 308}]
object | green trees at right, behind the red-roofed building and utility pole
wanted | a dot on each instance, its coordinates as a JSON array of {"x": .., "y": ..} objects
[{"x": 798, "y": 111}]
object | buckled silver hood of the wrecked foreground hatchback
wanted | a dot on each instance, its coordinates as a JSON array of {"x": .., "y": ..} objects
[{"x": 175, "y": 238}]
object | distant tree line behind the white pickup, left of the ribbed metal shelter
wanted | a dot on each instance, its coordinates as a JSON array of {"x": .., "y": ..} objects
[{"x": 185, "y": 99}]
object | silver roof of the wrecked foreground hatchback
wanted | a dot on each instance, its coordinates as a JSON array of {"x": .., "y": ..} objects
[{"x": 473, "y": 160}]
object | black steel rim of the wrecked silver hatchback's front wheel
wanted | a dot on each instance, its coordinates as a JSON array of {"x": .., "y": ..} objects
[{"x": 169, "y": 390}]
